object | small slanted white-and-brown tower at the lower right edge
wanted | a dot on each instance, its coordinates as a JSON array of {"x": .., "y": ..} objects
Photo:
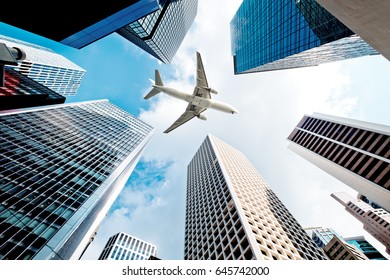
[{"x": 375, "y": 221}]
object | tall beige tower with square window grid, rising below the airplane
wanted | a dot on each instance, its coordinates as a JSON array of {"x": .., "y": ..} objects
[{"x": 231, "y": 212}]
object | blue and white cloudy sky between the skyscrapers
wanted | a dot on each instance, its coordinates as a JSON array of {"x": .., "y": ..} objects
[{"x": 152, "y": 204}]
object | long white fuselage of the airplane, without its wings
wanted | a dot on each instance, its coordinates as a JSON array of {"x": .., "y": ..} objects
[{"x": 197, "y": 100}]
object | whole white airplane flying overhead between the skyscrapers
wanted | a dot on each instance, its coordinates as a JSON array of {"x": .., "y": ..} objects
[{"x": 198, "y": 102}]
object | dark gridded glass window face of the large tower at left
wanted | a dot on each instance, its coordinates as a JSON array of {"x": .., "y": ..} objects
[{"x": 51, "y": 163}]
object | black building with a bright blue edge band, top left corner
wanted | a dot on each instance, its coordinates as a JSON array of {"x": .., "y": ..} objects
[{"x": 88, "y": 24}]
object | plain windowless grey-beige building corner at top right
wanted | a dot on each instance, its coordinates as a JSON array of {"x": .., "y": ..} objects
[{"x": 369, "y": 19}]
